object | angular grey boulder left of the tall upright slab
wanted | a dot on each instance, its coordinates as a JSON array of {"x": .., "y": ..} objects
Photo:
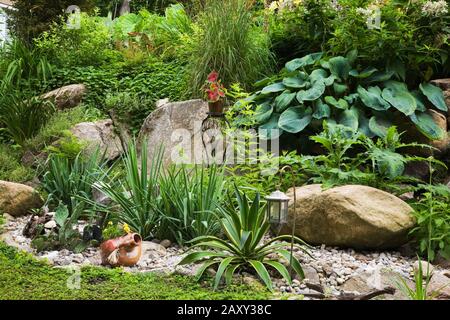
[{"x": 99, "y": 134}]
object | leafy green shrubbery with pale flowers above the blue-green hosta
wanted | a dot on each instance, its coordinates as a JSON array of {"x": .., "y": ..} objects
[{"x": 409, "y": 39}]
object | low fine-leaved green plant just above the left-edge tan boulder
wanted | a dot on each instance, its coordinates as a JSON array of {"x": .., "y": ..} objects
[{"x": 10, "y": 167}]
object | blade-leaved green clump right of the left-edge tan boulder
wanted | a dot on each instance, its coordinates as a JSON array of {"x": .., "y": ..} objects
[{"x": 70, "y": 181}]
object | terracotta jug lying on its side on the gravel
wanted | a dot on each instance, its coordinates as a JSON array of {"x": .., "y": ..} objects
[{"x": 123, "y": 251}]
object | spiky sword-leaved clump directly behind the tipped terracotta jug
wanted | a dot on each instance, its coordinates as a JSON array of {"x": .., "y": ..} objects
[{"x": 137, "y": 194}]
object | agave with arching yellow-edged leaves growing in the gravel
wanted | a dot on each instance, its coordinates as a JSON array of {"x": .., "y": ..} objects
[{"x": 243, "y": 247}]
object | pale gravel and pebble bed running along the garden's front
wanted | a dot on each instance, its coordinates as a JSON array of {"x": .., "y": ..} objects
[{"x": 330, "y": 270}]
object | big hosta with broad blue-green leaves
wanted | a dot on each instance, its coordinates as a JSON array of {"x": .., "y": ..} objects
[{"x": 367, "y": 99}]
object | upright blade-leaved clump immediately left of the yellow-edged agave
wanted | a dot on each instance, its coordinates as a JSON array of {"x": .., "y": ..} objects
[{"x": 189, "y": 202}]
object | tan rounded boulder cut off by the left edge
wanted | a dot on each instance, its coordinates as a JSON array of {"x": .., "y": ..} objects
[{"x": 17, "y": 199}]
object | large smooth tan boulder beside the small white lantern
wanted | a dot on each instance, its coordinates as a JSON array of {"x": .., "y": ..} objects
[{"x": 350, "y": 216}]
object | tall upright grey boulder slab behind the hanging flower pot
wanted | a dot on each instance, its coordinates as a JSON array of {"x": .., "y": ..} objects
[{"x": 177, "y": 127}]
